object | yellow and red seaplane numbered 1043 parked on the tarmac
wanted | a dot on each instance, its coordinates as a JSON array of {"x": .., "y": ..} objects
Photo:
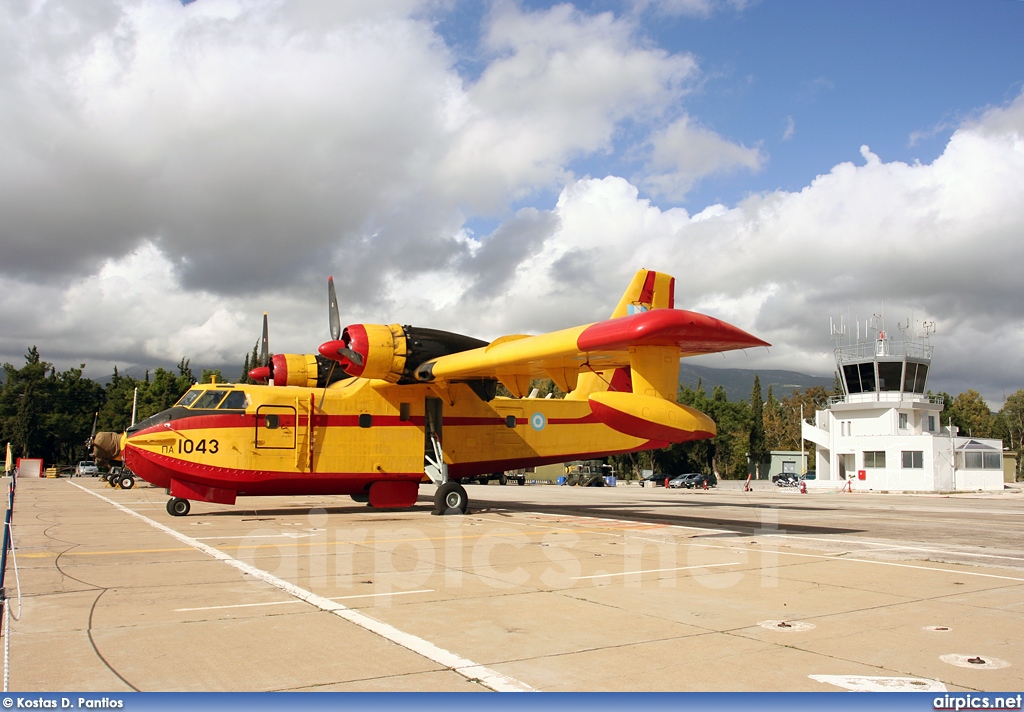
[{"x": 381, "y": 406}]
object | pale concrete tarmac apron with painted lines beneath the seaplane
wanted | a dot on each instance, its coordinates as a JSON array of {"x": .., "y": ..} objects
[{"x": 540, "y": 588}]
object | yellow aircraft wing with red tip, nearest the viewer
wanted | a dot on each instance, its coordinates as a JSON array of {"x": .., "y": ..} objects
[{"x": 562, "y": 356}]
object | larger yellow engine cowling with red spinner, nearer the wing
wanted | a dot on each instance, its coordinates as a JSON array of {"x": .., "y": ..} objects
[{"x": 370, "y": 351}]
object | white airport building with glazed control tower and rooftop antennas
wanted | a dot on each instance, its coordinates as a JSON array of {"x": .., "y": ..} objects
[{"x": 886, "y": 432}]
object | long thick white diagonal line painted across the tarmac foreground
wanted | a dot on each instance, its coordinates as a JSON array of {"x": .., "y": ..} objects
[{"x": 467, "y": 668}]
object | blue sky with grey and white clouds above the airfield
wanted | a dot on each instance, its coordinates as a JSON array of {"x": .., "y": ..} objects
[{"x": 169, "y": 172}]
